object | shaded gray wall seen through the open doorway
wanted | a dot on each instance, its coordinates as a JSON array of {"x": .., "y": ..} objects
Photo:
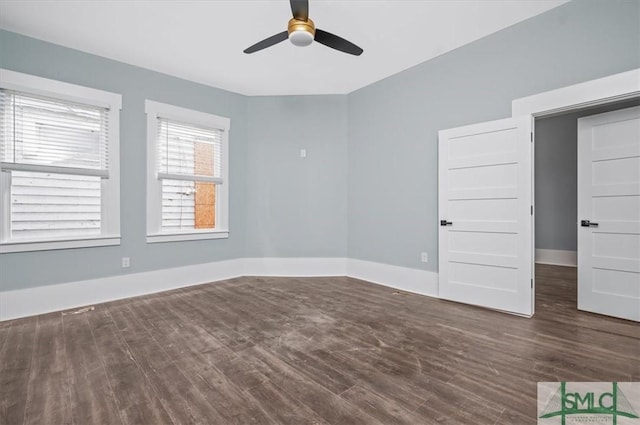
[{"x": 556, "y": 177}]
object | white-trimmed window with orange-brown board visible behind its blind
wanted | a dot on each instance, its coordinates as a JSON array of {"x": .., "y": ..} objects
[{"x": 187, "y": 178}]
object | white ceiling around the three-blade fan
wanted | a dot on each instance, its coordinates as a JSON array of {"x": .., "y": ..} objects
[{"x": 202, "y": 41}]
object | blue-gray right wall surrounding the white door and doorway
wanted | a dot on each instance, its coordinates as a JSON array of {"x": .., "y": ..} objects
[{"x": 394, "y": 123}]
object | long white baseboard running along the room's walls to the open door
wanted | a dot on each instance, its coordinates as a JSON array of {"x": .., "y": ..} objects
[{"x": 46, "y": 299}]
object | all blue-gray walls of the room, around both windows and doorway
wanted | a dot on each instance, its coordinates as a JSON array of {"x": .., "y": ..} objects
[{"x": 369, "y": 184}]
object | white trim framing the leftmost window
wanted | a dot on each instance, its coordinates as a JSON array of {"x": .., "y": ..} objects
[{"x": 110, "y": 220}]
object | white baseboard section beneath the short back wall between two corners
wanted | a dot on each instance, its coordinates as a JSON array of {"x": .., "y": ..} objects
[{"x": 294, "y": 267}]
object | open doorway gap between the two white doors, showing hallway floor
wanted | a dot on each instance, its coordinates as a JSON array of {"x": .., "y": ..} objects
[{"x": 556, "y": 205}]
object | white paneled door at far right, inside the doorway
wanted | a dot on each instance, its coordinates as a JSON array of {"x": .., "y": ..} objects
[{"x": 609, "y": 213}]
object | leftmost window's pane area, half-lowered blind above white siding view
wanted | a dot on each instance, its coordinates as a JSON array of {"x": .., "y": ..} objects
[{"x": 57, "y": 154}]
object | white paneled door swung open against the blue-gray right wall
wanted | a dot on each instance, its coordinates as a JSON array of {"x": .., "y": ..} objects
[{"x": 485, "y": 209}]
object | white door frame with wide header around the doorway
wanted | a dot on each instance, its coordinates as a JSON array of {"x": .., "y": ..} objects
[{"x": 602, "y": 91}]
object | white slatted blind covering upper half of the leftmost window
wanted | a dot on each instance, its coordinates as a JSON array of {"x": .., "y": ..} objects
[{"x": 41, "y": 134}]
